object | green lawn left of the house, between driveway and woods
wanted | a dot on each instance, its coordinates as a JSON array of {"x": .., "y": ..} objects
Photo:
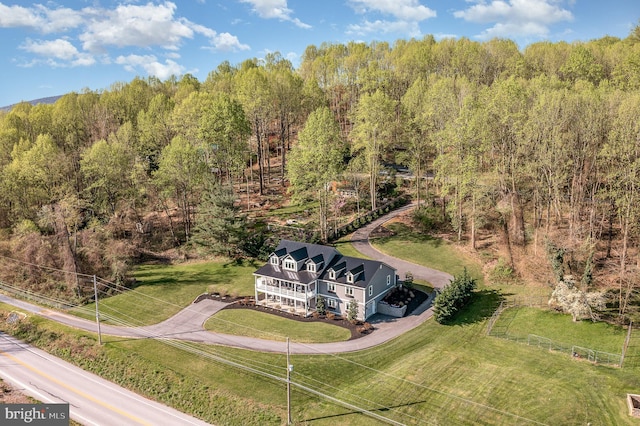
[{"x": 162, "y": 291}]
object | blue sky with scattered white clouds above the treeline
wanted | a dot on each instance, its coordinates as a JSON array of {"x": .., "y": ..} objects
[{"x": 50, "y": 48}]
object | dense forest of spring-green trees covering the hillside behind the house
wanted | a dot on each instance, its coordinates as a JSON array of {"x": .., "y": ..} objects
[{"x": 540, "y": 145}]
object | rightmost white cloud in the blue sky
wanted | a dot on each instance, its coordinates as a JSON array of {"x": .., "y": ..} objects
[{"x": 515, "y": 17}]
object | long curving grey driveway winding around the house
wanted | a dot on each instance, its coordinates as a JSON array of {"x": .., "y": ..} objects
[{"x": 188, "y": 324}]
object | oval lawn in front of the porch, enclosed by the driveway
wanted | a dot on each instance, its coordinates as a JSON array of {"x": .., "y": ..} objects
[{"x": 245, "y": 322}]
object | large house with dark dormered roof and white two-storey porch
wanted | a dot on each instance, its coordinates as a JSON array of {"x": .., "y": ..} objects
[{"x": 297, "y": 274}]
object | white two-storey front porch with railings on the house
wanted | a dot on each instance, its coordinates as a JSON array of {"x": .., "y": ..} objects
[{"x": 287, "y": 296}]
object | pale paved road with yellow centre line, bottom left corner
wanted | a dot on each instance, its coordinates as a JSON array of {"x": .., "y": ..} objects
[{"x": 92, "y": 400}]
